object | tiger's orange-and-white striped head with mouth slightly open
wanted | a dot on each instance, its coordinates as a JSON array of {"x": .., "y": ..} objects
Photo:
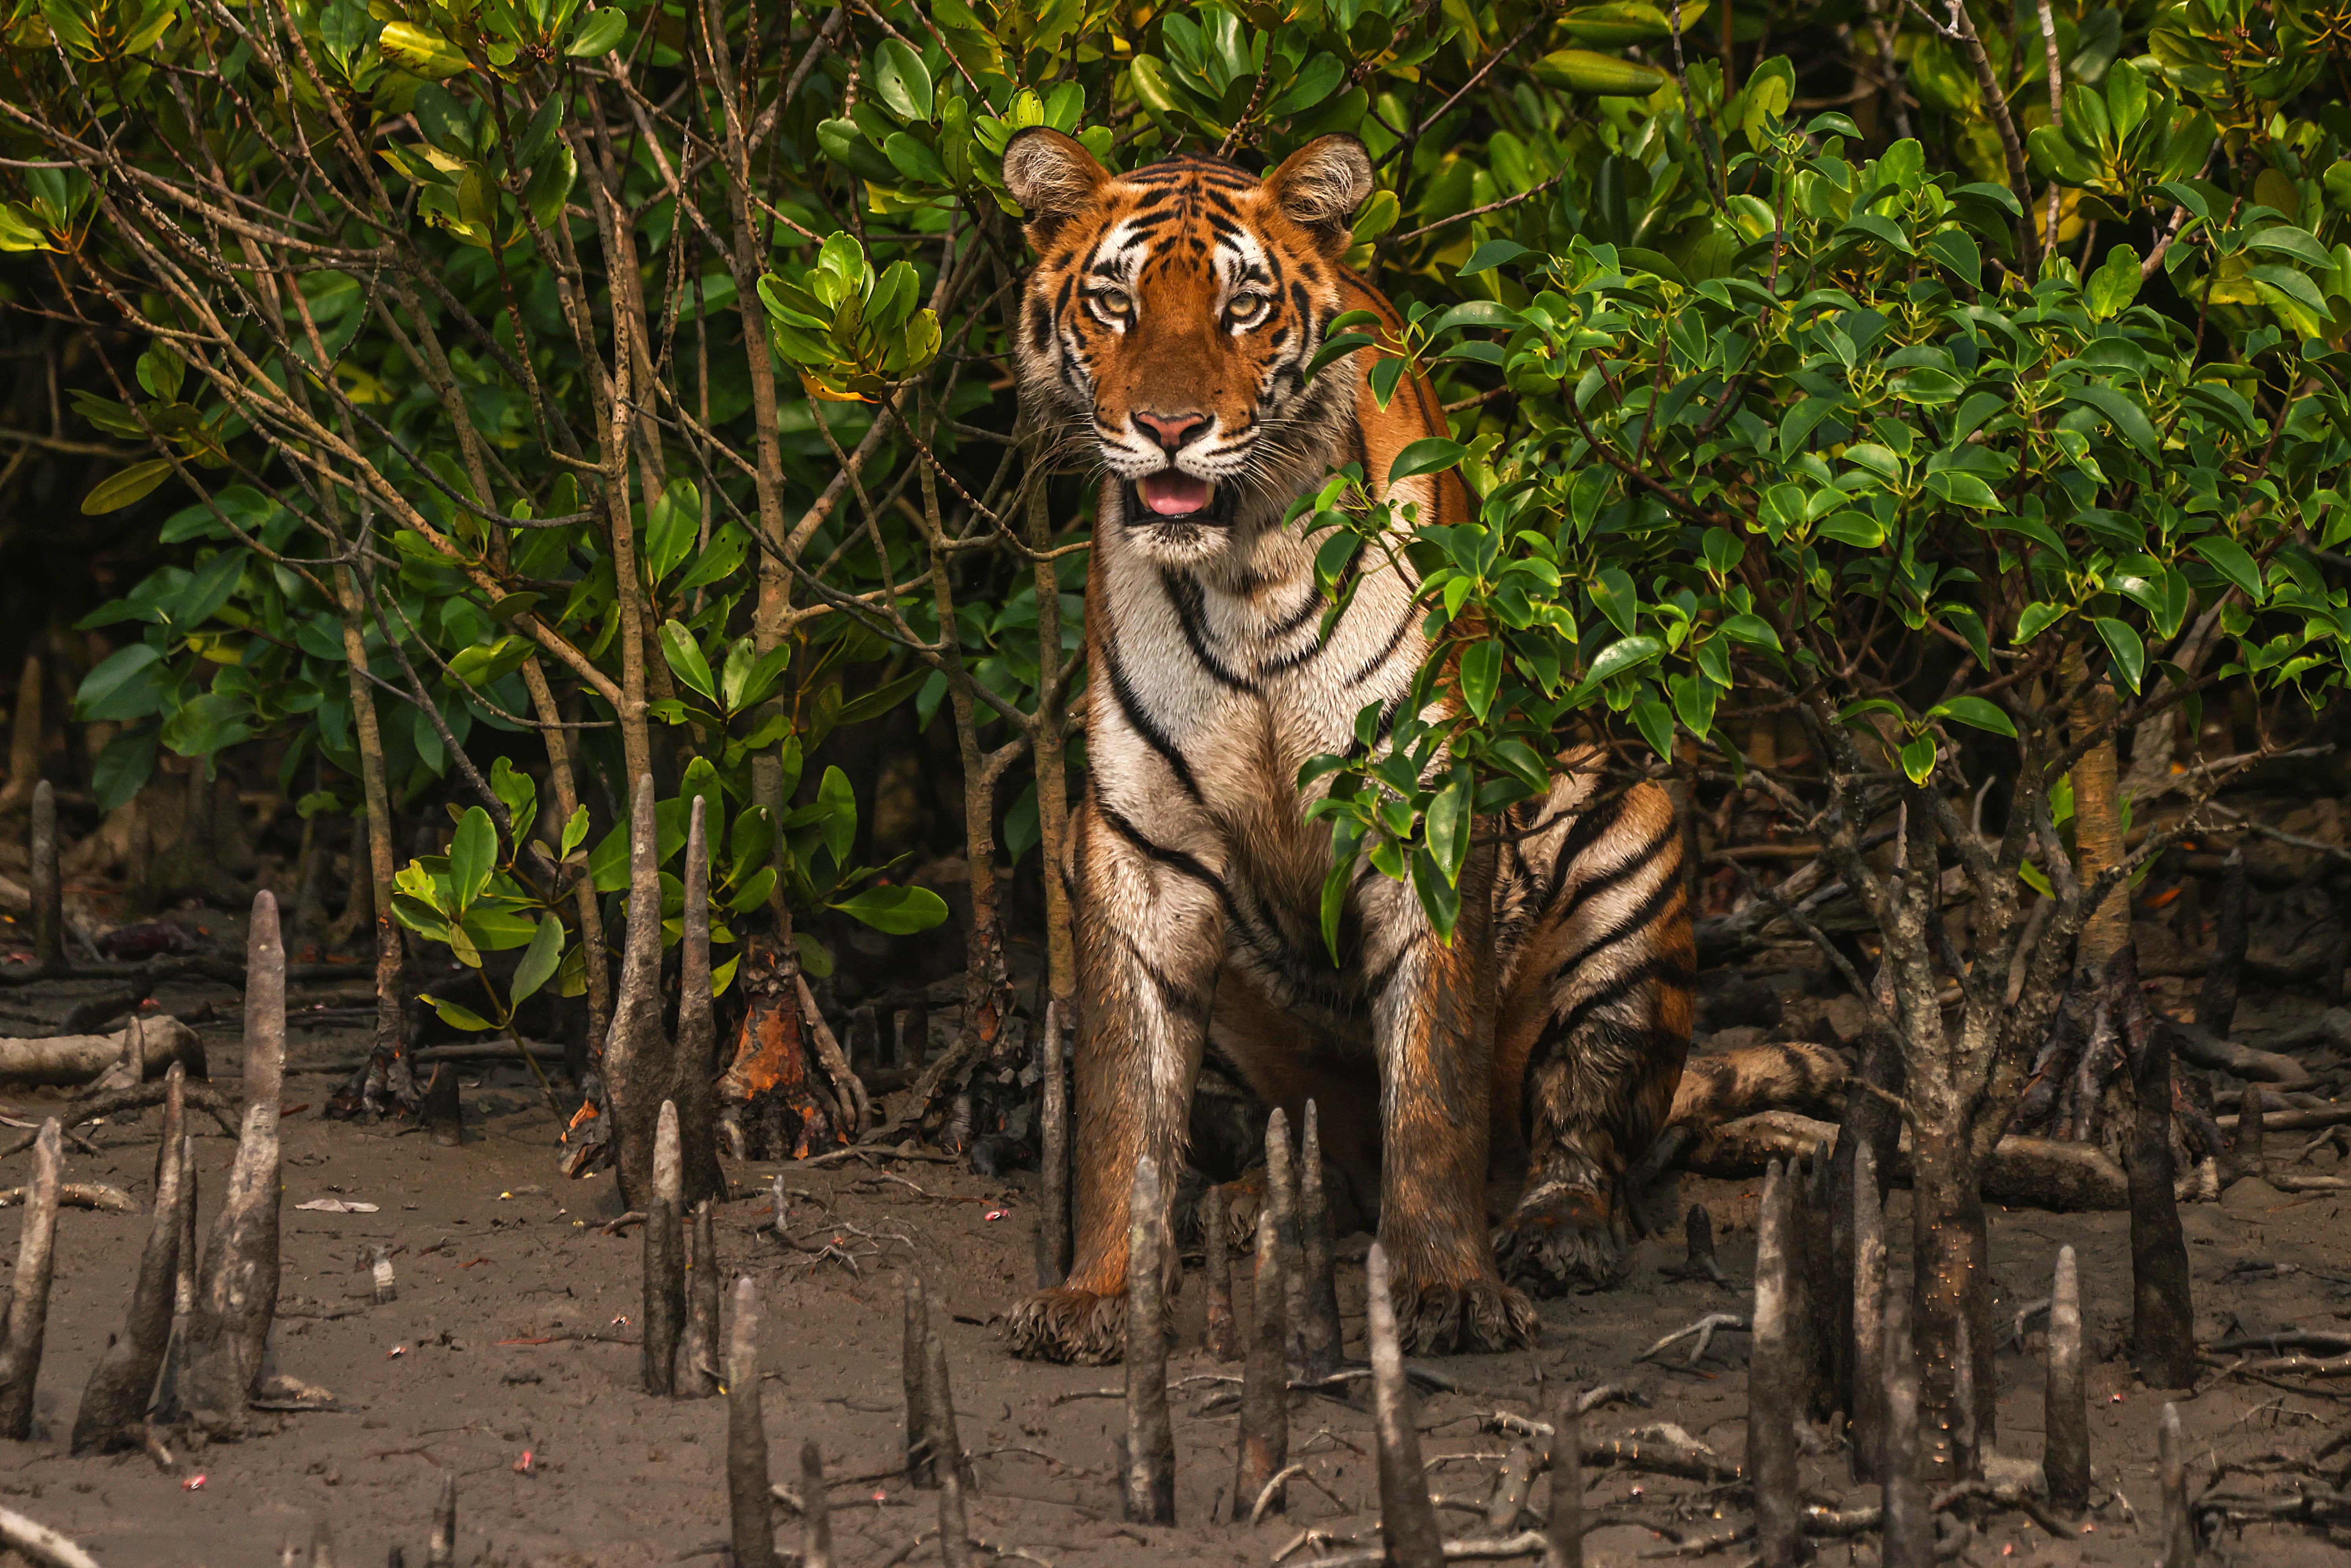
[{"x": 1174, "y": 314}]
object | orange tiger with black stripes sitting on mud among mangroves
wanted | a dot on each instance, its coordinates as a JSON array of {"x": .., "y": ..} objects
[{"x": 1170, "y": 323}]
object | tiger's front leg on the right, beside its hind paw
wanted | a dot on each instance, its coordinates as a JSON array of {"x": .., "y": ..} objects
[{"x": 1435, "y": 1064}]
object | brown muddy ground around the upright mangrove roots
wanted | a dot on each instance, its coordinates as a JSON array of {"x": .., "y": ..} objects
[{"x": 514, "y": 1336}]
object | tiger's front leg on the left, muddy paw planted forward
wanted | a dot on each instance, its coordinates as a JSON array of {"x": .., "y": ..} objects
[{"x": 1151, "y": 937}]
